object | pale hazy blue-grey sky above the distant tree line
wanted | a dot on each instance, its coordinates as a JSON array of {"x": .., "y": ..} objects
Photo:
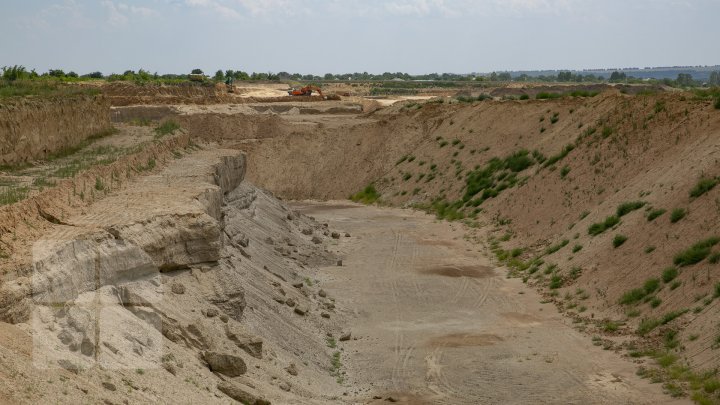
[{"x": 339, "y": 36}]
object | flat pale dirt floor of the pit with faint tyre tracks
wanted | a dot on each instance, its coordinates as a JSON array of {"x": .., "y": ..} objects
[{"x": 436, "y": 323}]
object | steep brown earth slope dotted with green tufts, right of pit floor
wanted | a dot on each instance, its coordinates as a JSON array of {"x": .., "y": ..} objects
[{"x": 653, "y": 149}]
